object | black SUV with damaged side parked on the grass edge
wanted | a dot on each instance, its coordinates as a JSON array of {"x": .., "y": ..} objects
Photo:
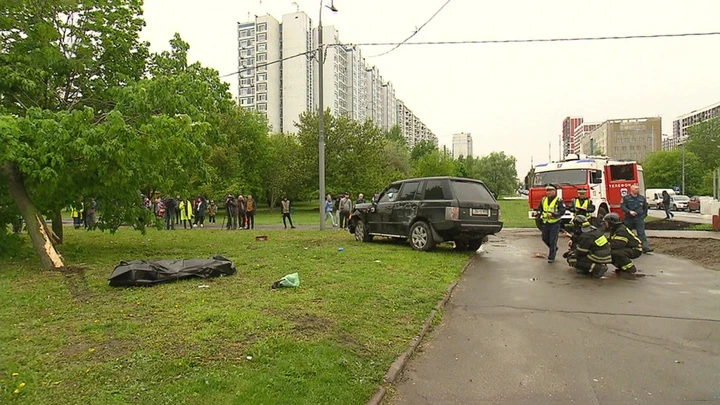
[{"x": 428, "y": 211}]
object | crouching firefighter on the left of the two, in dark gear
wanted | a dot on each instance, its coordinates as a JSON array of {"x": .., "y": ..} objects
[{"x": 590, "y": 249}]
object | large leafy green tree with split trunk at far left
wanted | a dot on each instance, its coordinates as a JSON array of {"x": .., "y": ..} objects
[{"x": 86, "y": 114}]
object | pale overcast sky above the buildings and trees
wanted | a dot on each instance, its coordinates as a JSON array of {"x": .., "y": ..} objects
[{"x": 510, "y": 97}]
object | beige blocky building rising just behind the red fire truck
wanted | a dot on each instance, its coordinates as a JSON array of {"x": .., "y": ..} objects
[{"x": 625, "y": 139}]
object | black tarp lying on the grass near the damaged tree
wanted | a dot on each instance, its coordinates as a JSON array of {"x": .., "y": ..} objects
[{"x": 144, "y": 273}]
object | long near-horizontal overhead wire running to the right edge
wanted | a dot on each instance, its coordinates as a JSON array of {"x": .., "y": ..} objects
[{"x": 531, "y": 40}]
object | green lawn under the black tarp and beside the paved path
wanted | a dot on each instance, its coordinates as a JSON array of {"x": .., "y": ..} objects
[{"x": 74, "y": 340}]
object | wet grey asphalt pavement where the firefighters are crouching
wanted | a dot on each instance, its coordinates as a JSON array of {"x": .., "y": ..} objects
[{"x": 518, "y": 330}]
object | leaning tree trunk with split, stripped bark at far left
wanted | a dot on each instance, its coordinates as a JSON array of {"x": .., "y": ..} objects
[{"x": 36, "y": 226}]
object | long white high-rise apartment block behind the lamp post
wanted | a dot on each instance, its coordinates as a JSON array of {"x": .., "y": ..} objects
[{"x": 278, "y": 75}]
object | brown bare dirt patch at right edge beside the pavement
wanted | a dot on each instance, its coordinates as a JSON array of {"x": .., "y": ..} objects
[{"x": 705, "y": 252}]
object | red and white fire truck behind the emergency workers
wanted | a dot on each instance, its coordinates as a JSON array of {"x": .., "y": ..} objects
[{"x": 606, "y": 180}]
